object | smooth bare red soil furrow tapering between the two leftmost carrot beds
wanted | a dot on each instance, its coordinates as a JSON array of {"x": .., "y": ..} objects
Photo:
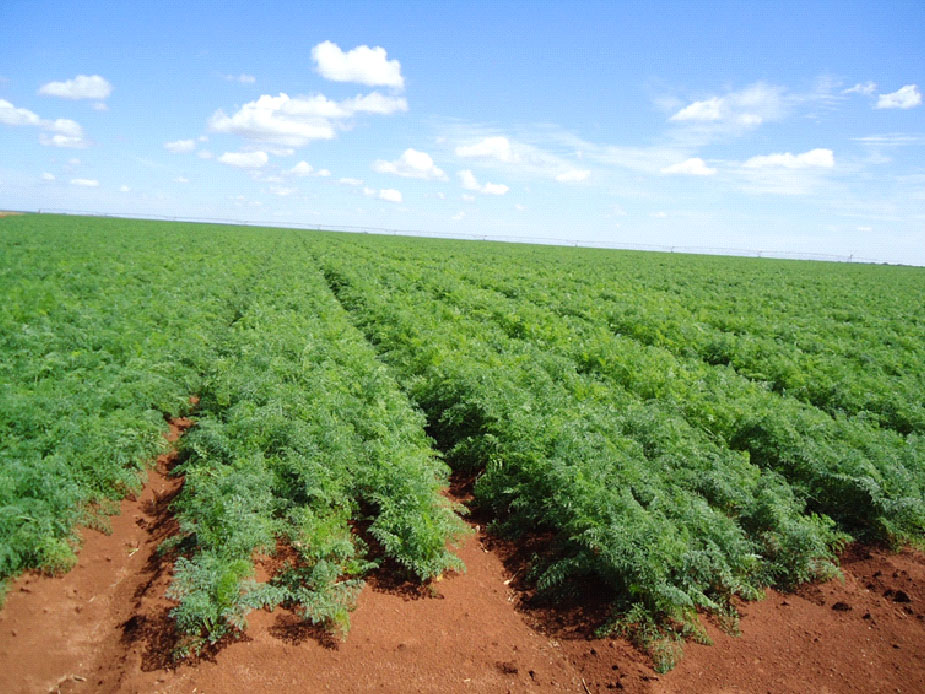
[{"x": 55, "y": 630}]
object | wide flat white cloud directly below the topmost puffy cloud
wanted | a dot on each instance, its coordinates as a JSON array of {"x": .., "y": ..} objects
[{"x": 294, "y": 122}]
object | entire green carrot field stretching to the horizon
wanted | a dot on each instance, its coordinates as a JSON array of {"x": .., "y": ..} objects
[{"x": 684, "y": 430}]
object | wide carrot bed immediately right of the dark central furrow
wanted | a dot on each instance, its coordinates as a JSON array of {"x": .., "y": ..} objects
[{"x": 664, "y": 518}]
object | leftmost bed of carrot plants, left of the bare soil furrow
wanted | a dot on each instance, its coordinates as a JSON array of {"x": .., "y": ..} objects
[{"x": 103, "y": 333}]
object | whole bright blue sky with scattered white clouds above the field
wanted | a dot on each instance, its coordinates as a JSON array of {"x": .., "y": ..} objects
[{"x": 780, "y": 126}]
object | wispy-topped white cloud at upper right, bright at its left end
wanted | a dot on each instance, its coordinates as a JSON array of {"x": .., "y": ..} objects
[{"x": 747, "y": 108}]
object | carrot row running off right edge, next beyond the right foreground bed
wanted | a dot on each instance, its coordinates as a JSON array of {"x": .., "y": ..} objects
[{"x": 871, "y": 480}]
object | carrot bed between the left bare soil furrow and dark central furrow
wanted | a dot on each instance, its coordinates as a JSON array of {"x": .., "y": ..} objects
[{"x": 303, "y": 440}]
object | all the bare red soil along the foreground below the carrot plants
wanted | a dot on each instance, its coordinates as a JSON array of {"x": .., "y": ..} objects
[{"x": 103, "y": 627}]
